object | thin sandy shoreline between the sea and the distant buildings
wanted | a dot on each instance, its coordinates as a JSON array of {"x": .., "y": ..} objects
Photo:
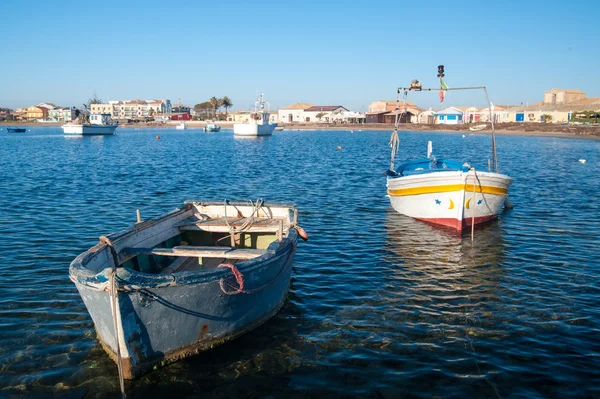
[{"x": 585, "y": 132}]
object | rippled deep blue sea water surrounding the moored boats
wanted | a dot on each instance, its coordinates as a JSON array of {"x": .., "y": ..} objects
[{"x": 380, "y": 305}]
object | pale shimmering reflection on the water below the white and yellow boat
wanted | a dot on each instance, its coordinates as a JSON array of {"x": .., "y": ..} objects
[{"x": 442, "y": 270}]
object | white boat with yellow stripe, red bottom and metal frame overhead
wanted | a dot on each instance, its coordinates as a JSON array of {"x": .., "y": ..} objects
[{"x": 445, "y": 192}]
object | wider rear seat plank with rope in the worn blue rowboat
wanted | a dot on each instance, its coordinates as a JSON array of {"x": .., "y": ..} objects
[{"x": 222, "y": 225}]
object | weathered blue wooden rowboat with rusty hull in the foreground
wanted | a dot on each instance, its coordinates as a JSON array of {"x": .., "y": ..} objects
[{"x": 196, "y": 277}]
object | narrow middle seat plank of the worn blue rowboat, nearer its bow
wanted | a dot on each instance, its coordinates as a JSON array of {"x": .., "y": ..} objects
[{"x": 200, "y": 252}]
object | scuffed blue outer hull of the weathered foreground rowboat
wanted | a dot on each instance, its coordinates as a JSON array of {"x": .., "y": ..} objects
[{"x": 162, "y": 318}]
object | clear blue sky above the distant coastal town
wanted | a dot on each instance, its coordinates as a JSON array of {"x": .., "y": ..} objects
[{"x": 321, "y": 52}]
